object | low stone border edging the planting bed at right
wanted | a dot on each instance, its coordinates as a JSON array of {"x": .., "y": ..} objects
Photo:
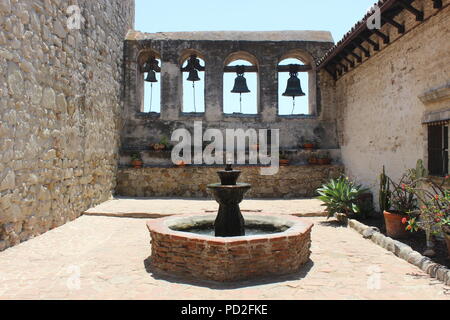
[{"x": 402, "y": 251}]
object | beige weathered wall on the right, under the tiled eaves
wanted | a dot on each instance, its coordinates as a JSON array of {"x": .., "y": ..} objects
[{"x": 379, "y": 110}]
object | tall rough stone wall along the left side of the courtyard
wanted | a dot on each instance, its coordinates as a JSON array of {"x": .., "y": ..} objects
[{"x": 60, "y": 97}]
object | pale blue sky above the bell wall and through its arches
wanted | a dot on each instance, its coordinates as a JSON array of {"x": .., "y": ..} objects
[{"x": 336, "y": 16}]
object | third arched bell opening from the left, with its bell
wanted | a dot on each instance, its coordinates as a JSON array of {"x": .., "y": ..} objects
[{"x": 240, "y": 84}]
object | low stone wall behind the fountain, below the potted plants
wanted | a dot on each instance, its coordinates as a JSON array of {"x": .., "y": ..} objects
[{"x": 191, "y": 182}]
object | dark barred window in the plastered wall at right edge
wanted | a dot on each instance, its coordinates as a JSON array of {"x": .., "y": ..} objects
[{"x": 438, "y": 161}]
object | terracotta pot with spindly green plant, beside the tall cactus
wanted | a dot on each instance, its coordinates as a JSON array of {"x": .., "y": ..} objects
[{"x": 399, "y": 204}]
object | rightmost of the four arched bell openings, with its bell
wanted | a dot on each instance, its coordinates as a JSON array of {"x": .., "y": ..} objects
[{"x": 293, "y": 88}]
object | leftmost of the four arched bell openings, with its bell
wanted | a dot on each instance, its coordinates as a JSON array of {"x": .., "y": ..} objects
[{"x": 149, "y": 82}]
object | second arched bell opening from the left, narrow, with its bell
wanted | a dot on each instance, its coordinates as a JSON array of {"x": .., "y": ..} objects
[{"x": 193, "y": 68}]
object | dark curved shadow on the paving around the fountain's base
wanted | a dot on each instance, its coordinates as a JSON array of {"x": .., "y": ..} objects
[{"x": 159, "y": 275}]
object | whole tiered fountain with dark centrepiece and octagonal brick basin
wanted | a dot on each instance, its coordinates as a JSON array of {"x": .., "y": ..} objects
[{"x": 226, "y": 247}]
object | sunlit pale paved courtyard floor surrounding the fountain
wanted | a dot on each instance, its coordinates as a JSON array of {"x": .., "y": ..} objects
[{"x": 97, "y": 257}]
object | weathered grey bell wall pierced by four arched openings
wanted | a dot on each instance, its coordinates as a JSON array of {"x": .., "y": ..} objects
[{"x": 264, "y": 50}]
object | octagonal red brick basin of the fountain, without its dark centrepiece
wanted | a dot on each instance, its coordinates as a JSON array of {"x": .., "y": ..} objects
[{"x": 203, "y": 257}]
